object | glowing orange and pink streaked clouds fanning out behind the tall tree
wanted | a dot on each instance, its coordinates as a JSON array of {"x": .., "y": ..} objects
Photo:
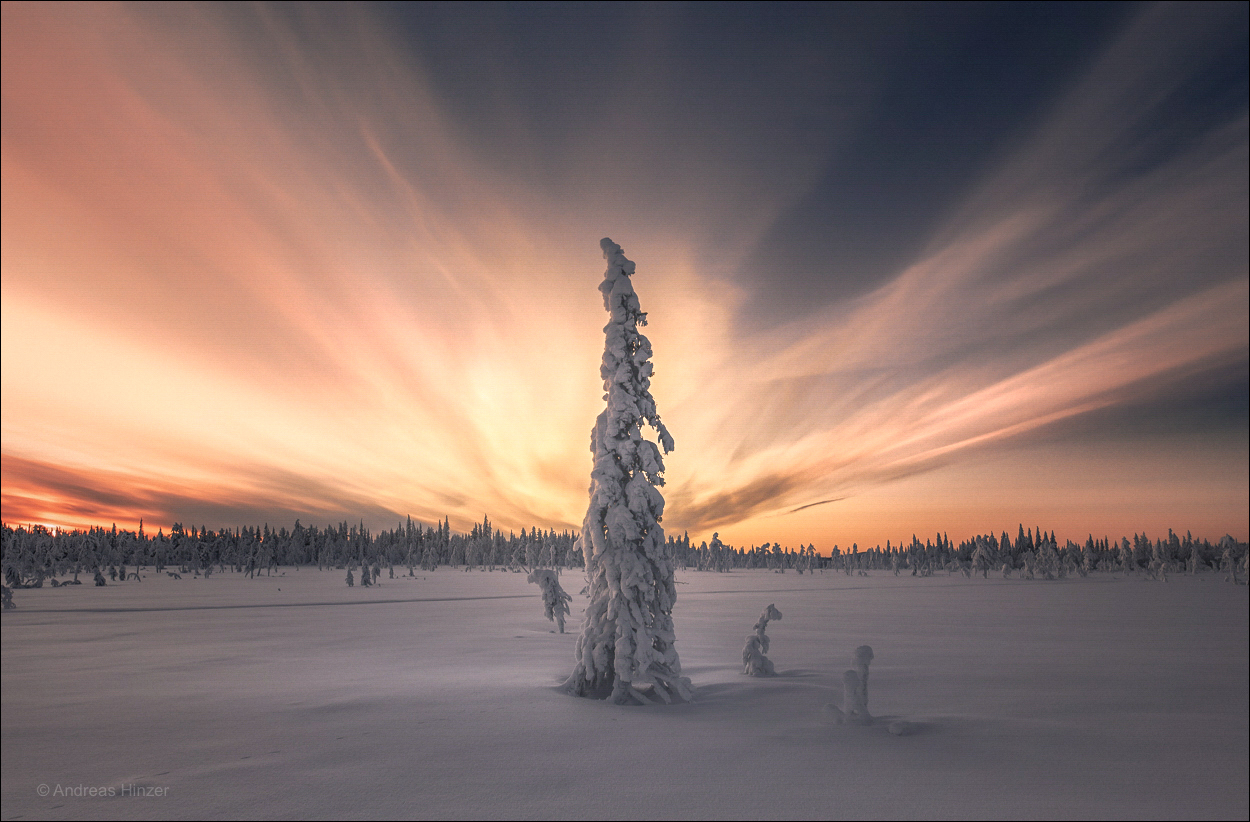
[{"x": 252, "y": 272}]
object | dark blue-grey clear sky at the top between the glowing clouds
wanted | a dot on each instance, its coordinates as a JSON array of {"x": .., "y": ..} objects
[{"x": 903, "y": 108}]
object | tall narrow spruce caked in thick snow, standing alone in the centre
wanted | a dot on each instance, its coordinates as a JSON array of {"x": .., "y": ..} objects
[{"x": 626, "y": 650}]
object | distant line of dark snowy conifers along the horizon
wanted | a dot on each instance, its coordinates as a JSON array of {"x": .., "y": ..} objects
[{"x": 32, "y": 555}]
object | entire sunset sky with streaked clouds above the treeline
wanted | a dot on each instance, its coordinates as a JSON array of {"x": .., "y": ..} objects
[{"x": 908, "y": 268}]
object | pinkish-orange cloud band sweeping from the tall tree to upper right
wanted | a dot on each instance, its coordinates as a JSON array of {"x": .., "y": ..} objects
[{"x": 1059, "y": 285}]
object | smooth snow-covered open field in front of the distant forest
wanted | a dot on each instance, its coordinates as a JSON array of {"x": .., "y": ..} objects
[{"x": 296, "y": 696}]
